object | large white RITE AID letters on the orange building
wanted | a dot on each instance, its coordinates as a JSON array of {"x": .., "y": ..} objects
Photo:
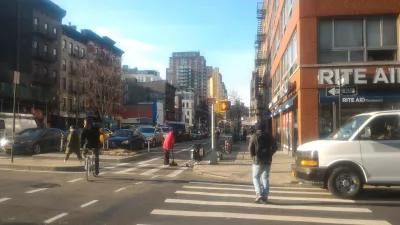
[{"x": 331, "y": 76}]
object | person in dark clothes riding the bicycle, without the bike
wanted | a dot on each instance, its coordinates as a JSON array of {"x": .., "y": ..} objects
[{"x": 90, "y": 139}]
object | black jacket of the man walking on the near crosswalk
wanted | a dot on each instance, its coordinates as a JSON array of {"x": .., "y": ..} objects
[{"x": 254, "y": 147}]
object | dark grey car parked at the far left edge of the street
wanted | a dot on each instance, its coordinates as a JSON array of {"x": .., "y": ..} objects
[{"x": 35, "y": 140}]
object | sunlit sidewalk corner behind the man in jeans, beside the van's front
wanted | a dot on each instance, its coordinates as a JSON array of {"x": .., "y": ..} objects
[{"x": 237, "y": 167}]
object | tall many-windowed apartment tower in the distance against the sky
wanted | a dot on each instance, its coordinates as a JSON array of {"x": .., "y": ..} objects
[{"x": 188, "y": 70}]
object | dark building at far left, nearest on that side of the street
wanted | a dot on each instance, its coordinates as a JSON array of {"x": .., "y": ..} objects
[{"x": 31, "y": 32}]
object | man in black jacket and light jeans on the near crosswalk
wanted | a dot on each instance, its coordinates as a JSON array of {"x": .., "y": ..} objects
[{"x": 262, "y": 146}]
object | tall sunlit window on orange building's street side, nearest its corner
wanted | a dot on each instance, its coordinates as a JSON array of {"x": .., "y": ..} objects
[{"x": 289, "y": 62}]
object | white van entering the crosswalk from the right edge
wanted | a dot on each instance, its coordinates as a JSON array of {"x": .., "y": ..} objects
[{"x": 366, "y": 150}]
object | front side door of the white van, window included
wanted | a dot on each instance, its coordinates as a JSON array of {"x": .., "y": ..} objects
[{"x": 380, "y": 149}]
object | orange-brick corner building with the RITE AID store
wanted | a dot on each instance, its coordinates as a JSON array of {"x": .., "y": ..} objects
[{"x": 313, "y": 48}]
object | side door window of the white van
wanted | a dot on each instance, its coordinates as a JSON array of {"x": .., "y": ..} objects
[{"x": 385, "y": 127}]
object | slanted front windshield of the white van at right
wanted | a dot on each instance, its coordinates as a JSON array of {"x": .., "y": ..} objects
[{"x": 349, "y": 128}]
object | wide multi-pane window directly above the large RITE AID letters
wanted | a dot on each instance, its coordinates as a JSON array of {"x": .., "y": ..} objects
[{"x": 343, "y": 40}]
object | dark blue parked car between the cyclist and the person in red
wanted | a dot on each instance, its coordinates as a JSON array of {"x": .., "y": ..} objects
[{"x": 127, "y": 139}]
